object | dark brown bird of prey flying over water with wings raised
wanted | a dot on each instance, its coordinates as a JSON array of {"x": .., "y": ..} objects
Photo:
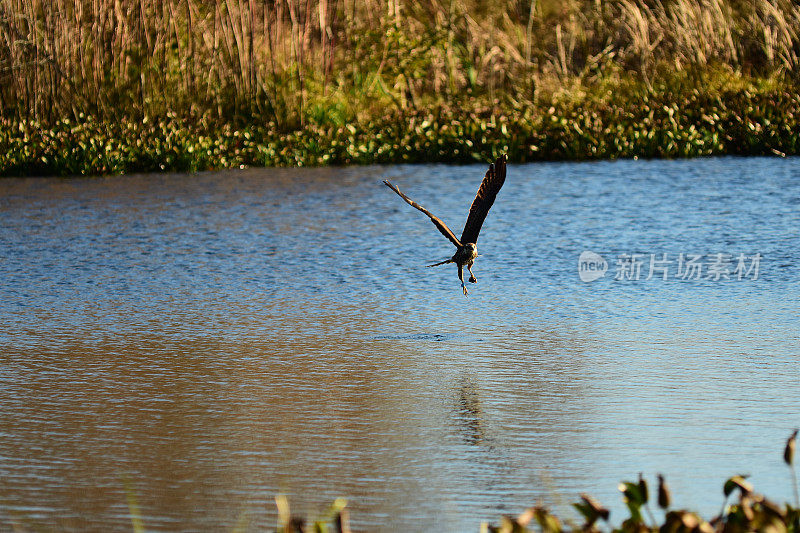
[{"x": 466, "y": 247}]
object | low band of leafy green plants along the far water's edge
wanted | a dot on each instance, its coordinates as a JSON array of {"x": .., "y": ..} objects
[{"x": 748, "y": 121}]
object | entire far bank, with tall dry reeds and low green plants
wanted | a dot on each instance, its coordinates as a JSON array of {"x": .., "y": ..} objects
[{"x": 191, "y": 85}]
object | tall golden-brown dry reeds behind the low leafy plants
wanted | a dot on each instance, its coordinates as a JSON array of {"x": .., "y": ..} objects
[{"x": 285, "y": 60}]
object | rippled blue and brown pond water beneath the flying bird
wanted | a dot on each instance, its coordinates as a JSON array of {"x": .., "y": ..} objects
[{"x": 213, "y": 340}]
